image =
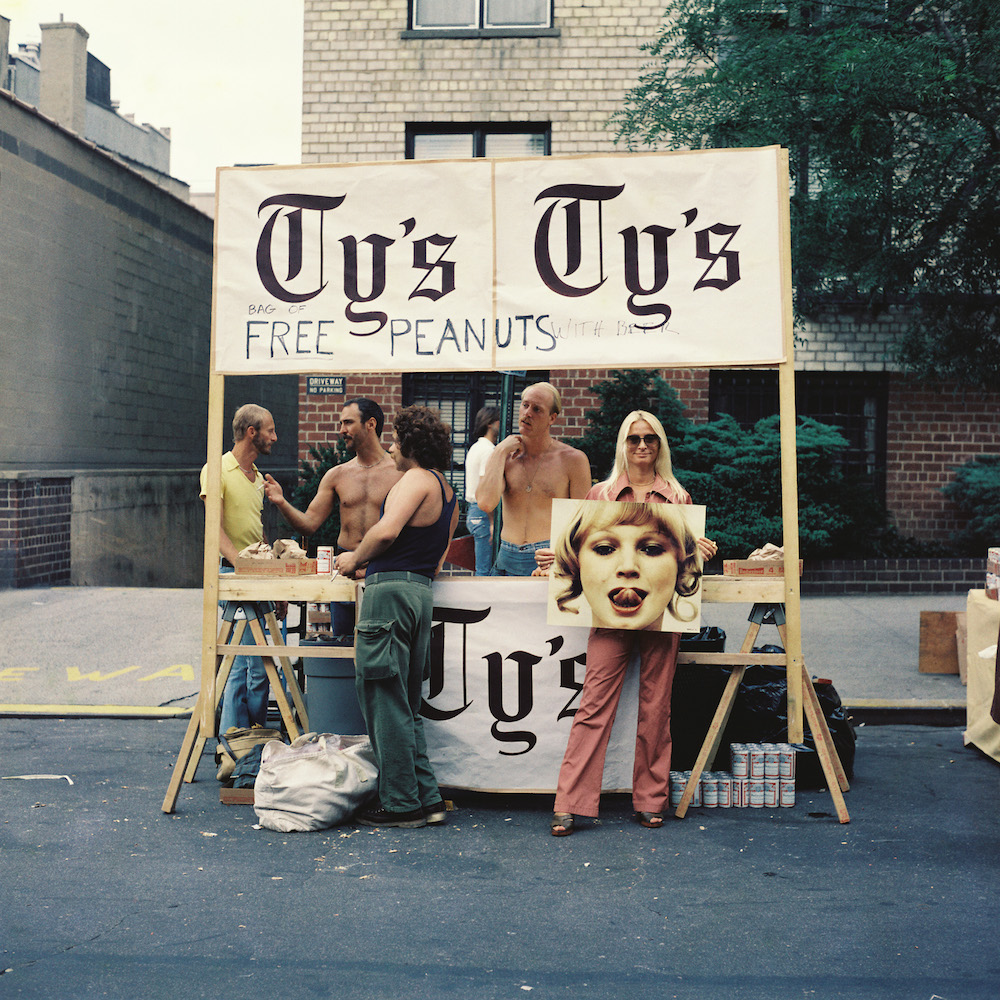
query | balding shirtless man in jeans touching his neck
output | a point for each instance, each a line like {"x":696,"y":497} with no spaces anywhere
{"x":528,"y":470}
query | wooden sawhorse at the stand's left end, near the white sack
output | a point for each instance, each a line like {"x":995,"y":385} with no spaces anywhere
{"x":229,"y":646}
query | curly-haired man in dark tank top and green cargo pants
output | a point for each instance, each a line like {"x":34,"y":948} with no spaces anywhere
{"x":404,"y":551}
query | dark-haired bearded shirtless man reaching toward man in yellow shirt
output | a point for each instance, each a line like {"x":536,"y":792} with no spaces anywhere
{"x":360,"y":485}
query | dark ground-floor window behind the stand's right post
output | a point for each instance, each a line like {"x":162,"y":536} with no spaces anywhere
{"x":855,"y":403}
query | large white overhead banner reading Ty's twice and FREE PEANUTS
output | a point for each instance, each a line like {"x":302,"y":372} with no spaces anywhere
{"x":645,"y":260}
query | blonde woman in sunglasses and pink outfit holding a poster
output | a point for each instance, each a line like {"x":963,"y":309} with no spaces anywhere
{"x":642,"y":474}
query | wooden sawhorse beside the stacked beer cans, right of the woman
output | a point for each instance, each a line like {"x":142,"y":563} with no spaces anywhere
{"x":833,"y":769}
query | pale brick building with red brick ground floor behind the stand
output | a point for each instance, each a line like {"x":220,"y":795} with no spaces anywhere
{"x":388,"y":79}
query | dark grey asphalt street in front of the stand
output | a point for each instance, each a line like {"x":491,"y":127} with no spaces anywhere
{"x":104,"y":895}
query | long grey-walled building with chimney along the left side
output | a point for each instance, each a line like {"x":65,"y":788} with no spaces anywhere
{"x":105,"y":317}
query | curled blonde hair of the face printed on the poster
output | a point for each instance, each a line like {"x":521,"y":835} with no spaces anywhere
{"x":594,"y":515}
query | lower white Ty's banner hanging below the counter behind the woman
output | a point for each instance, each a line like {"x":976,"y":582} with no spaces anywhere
{"x":503,"y":687}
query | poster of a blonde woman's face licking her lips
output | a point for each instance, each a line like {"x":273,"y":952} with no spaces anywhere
{"x":626,"y":565}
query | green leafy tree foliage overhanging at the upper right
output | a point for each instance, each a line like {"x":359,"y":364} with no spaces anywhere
{"x":890,"y":111}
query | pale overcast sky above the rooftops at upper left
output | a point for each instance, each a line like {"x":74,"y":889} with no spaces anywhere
{"x":224,"y":75}
